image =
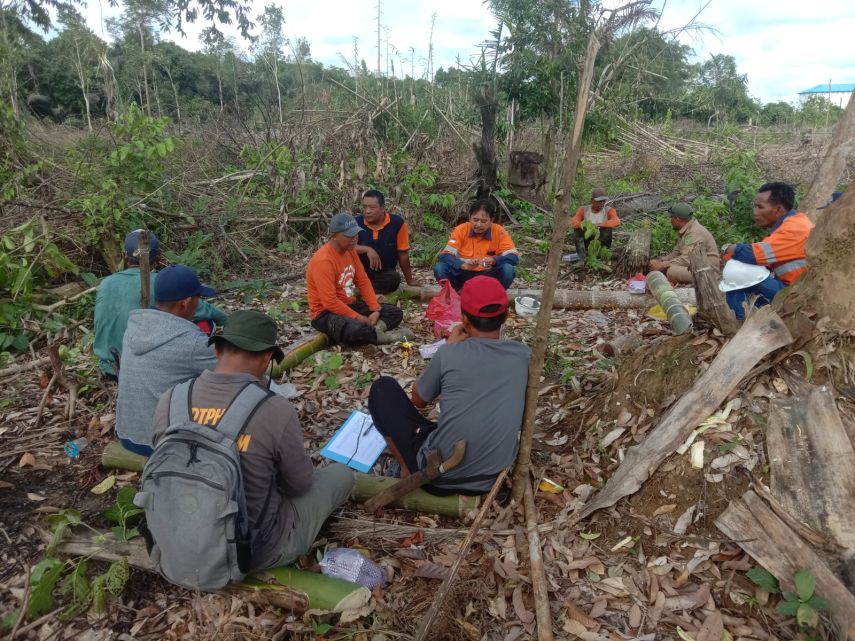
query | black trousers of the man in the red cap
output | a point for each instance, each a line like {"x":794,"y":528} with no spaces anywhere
{"x":396,"y":418}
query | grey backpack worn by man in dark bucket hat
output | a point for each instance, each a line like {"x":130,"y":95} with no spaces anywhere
{"x":197,"y":526}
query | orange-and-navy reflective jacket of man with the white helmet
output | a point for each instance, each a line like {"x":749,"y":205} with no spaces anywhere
{"x":783,"y":250}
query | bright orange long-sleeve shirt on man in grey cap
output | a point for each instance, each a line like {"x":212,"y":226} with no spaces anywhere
{"x":332,"y":278}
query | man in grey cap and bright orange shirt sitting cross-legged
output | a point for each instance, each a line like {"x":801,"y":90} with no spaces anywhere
{"x":333,"y":276}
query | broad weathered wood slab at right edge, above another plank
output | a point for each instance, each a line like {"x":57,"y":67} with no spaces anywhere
{"x":812,"y":465}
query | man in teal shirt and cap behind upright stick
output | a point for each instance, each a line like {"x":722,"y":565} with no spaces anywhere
{"x":119,"y":293}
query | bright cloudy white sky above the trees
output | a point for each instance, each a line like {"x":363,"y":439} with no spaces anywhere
{"x":785,"y":46}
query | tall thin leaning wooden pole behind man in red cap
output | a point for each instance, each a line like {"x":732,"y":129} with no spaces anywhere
{"x":560,"y":226}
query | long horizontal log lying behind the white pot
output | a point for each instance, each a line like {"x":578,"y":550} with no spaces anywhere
{"x":574,"y":298}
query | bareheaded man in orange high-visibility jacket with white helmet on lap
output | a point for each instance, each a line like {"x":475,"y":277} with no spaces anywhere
{"x":782,"y":251}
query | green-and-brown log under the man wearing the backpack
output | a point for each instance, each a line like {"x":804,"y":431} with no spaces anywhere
{"x":283,"y":587}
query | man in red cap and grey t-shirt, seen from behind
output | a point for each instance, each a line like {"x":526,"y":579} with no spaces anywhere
{"x":481,"y":381}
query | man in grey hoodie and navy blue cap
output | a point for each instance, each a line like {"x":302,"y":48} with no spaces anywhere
{"x":161,"y":348}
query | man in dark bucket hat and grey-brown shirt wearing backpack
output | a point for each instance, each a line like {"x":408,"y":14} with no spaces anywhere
{"x":287,"y":500}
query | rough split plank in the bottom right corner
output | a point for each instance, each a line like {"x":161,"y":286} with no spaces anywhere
{"x":758,"y":531}
